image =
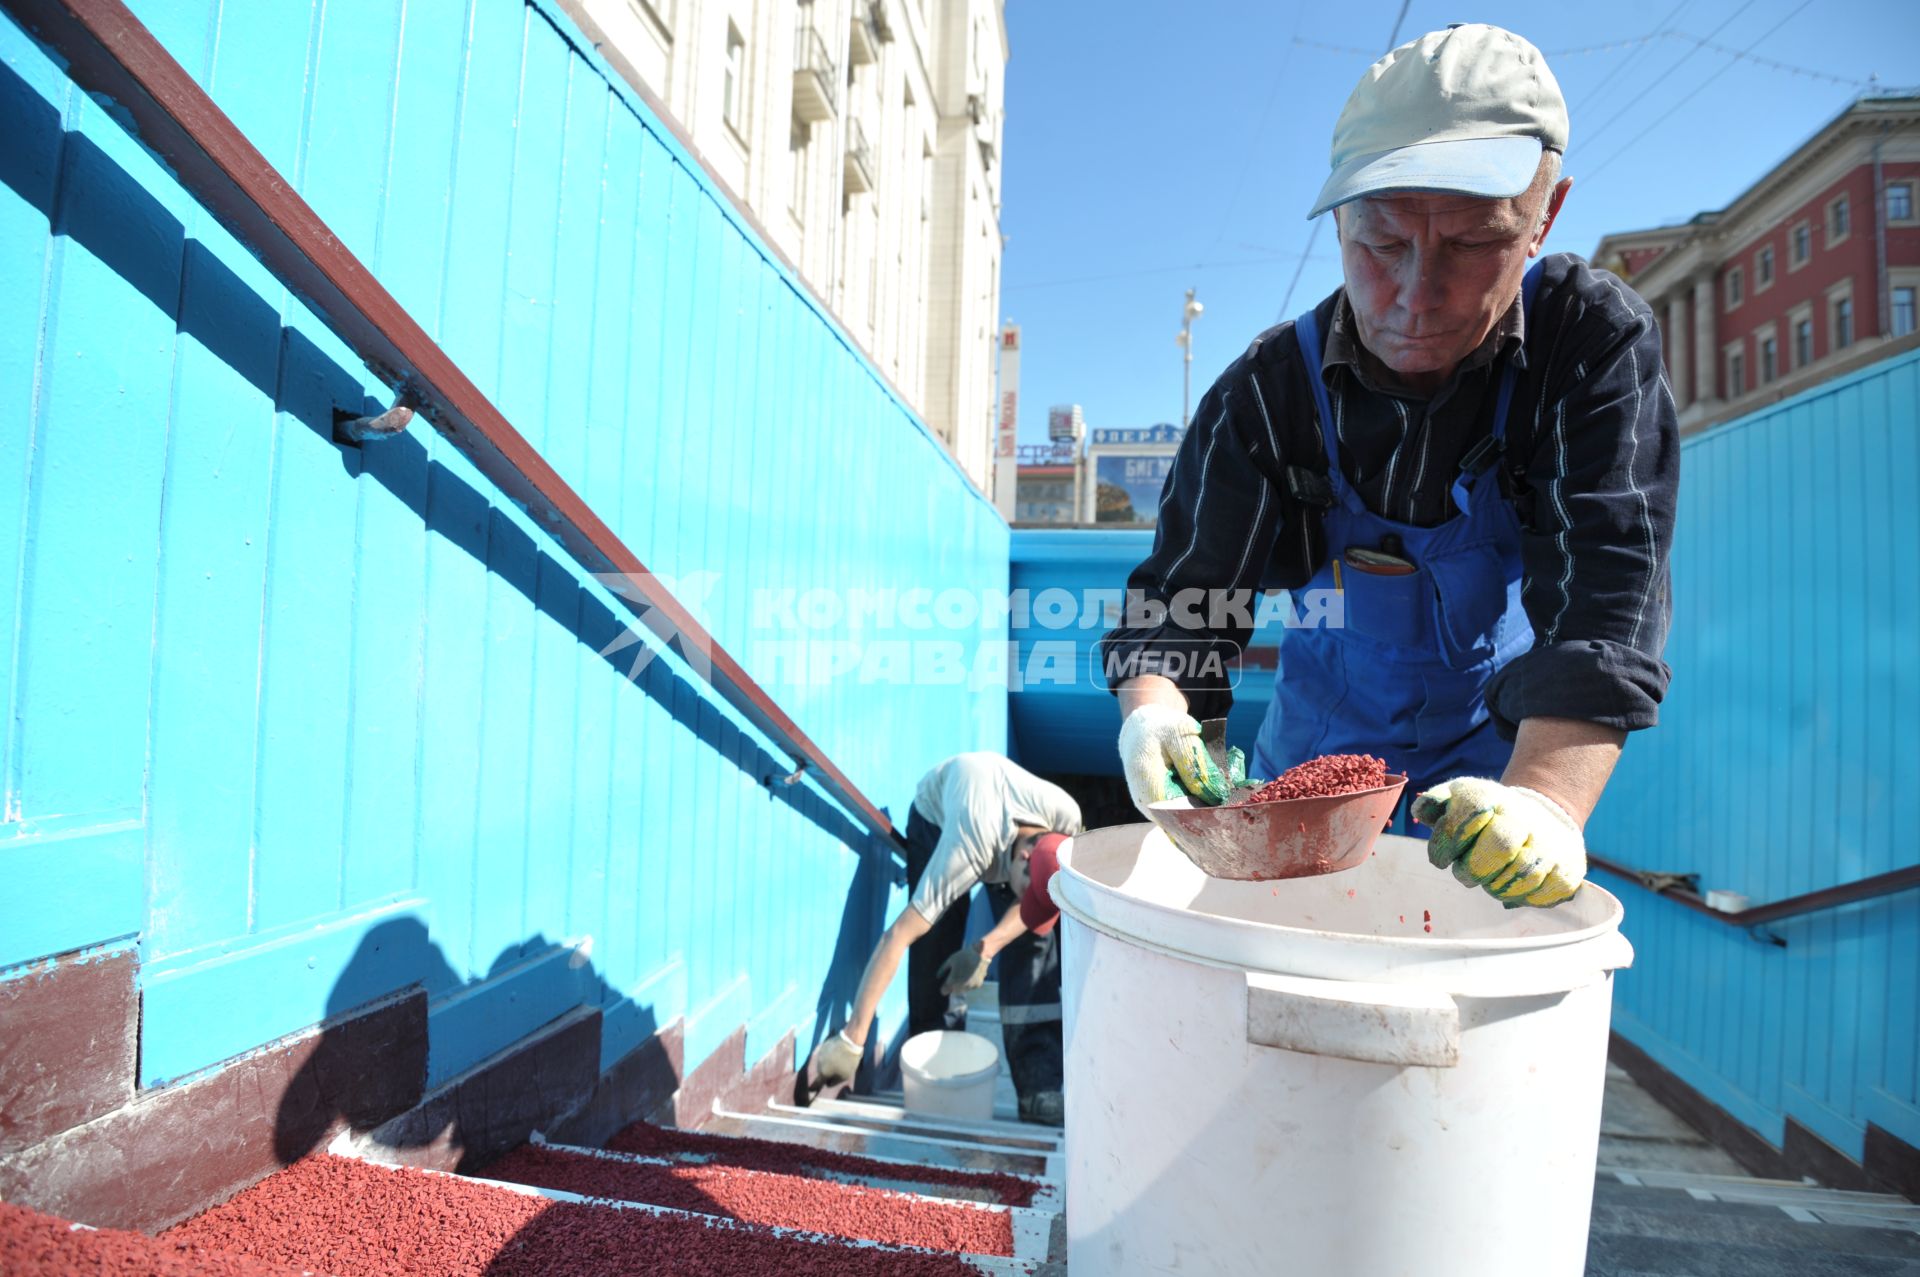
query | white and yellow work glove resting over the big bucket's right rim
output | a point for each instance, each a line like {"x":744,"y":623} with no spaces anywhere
{"x":1518,"y":844}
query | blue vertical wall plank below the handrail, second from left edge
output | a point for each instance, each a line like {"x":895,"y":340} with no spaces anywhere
{"x":89,"y":573}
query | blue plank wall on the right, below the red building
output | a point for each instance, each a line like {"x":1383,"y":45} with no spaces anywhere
{"x":1788,"y":759}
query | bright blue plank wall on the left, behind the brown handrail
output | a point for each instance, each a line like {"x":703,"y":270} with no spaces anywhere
{"x":312,"y":723}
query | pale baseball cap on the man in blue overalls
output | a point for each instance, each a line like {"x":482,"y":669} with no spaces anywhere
{"x":1466,"y":110}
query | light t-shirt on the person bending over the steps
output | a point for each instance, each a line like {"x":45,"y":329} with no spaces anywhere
{"x":976,"y":802}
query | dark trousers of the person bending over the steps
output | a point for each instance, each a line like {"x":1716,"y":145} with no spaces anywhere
{"x":1030,"y":978}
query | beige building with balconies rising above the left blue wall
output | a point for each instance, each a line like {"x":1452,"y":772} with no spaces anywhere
{"x":863,"y":137}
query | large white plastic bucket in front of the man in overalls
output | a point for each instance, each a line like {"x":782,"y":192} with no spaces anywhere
{"x":1299,"y":1076}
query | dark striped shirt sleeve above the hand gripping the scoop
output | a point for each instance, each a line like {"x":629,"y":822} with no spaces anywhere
{"x":1191,"y":604}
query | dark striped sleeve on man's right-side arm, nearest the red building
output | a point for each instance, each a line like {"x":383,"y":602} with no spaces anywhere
{"x":1602,"y":487}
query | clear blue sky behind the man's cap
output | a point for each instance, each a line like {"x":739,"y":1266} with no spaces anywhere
{"x":1159,"y":147}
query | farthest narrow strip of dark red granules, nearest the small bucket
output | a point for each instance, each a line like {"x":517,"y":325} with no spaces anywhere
{"x":878,"y":1172}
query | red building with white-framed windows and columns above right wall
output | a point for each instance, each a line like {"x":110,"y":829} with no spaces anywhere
{"x":1810,"y":274}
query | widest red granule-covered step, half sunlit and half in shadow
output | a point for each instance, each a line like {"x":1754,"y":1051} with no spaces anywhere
{"x":350,"y":1218}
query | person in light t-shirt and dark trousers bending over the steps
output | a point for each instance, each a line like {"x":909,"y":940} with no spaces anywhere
{"x":976,"y":819}
